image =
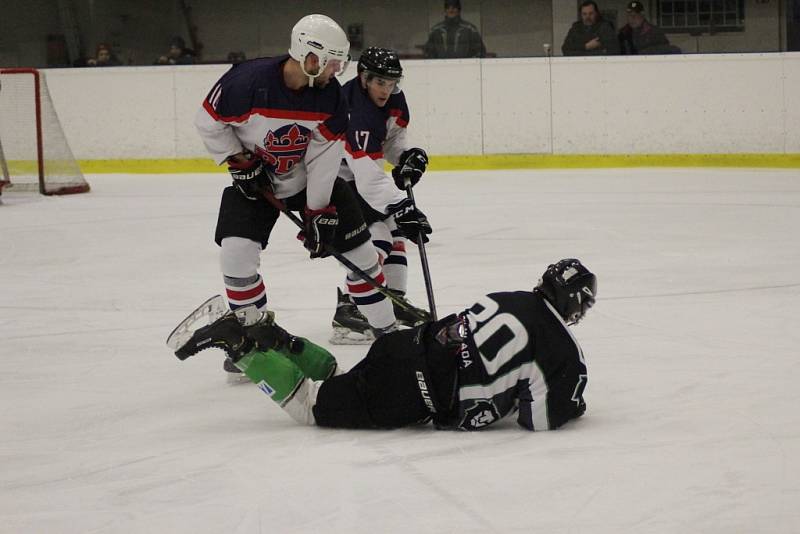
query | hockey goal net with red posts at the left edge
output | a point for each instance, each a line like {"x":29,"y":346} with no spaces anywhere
{"x":34,"y":154}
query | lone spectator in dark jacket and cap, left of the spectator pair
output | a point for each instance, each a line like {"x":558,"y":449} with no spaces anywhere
{"x":454,"y":37}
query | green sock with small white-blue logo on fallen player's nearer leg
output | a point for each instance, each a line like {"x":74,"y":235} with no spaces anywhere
{"x":273,"y":373}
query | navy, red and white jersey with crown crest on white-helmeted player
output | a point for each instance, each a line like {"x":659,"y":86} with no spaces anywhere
{"x":299,"y":135}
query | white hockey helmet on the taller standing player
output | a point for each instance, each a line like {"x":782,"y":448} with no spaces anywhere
{"x":324,"y":38}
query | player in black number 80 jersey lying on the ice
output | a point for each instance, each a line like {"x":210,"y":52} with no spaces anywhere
{"x":510,"y":352}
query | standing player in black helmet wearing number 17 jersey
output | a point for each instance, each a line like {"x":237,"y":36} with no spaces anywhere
{"x":379,"y":117}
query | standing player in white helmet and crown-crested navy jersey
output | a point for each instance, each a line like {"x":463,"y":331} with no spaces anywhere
{"x":279,"y":124}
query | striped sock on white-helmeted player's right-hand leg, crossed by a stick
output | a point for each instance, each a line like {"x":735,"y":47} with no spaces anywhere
{"x":370,"y":302}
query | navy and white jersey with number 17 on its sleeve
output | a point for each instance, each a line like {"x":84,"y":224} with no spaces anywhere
{"x":374,"y":135}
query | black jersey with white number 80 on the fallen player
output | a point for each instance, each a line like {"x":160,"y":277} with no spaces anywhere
{"x":519,"y":355}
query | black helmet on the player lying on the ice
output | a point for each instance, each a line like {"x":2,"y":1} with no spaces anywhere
{"x":569,"y":287}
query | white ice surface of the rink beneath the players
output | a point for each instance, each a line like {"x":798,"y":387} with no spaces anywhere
{"x":693,"y":419}
